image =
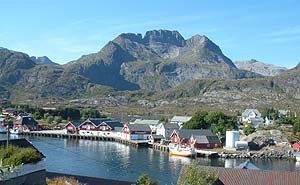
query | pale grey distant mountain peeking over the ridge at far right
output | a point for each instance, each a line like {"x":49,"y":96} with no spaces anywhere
{"x":260,"y":67}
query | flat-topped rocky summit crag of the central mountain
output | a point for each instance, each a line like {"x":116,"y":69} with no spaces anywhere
{"x":164,"y":36}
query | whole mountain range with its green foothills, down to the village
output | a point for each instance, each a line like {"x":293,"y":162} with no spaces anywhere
{"x":161,"y":70}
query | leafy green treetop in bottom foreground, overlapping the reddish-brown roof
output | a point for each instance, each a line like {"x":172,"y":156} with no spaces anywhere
{"x":193,"y":175}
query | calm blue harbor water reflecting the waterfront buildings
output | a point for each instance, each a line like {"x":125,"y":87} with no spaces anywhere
{"x":112,"y":160}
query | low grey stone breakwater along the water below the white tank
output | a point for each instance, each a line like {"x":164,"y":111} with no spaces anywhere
{"x":259,"y":155}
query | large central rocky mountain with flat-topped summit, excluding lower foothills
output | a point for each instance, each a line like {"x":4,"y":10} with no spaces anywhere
{"x":160,"y":60}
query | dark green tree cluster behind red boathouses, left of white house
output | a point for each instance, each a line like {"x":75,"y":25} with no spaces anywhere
{"x":217,"y":121}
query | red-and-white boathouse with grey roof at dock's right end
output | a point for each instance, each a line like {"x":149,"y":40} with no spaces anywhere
{"x":136,"y":132}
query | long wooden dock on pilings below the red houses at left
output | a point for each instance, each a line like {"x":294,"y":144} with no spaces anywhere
{"x":59,"y":134}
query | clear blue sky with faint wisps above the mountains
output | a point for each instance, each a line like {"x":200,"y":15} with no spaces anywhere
{"x":64,"y":30}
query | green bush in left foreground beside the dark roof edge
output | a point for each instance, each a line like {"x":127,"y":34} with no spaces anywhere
{"x":15,"y":156}
